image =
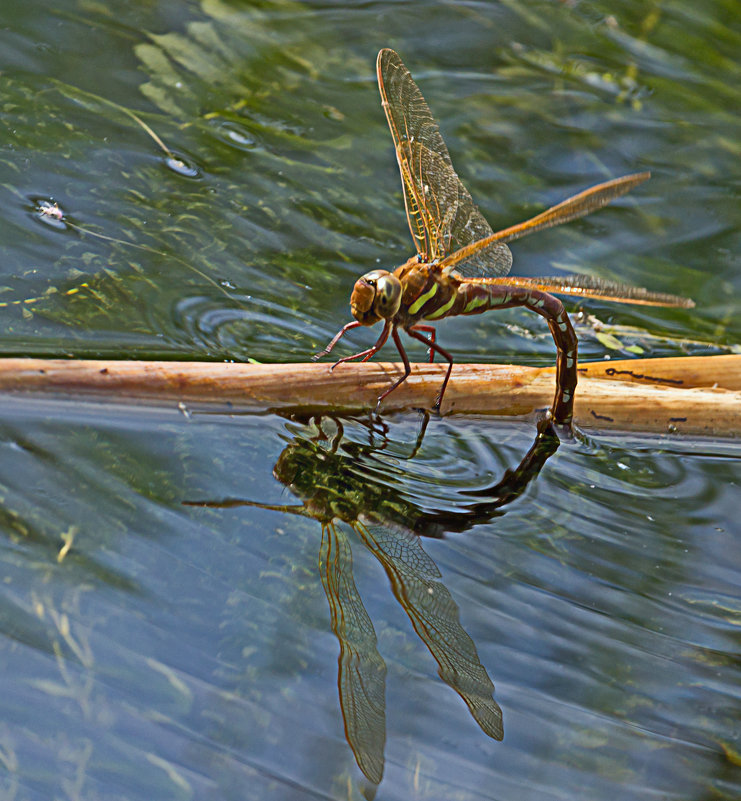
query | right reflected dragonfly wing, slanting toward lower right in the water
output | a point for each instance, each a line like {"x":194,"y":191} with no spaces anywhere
{"x":435,"y":617}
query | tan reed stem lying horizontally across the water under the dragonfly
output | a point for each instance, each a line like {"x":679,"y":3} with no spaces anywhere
{"x":689,"y":395}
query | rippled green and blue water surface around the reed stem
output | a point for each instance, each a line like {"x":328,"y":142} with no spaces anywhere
{"x":154,"y":649}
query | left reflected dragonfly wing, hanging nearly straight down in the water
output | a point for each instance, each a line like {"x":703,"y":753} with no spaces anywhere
{"x":362,"y":672}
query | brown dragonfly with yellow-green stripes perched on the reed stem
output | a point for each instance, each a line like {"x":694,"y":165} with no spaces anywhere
{"x":461,"y":265}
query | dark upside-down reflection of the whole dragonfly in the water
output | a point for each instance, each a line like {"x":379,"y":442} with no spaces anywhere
{"x":339,"y":482}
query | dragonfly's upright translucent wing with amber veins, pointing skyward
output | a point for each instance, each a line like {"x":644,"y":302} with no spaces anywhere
{"x":441,"y":213}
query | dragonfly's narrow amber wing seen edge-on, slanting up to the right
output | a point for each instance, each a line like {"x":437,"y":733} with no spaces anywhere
{"x":570,"y":209}
